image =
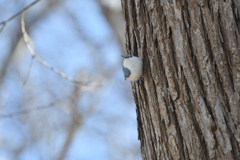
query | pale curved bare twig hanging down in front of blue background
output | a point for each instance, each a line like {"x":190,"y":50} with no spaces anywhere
{"x":29,"y":44}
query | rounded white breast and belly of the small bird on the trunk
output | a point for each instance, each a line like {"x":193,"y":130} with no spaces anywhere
{"x":134,"y":64}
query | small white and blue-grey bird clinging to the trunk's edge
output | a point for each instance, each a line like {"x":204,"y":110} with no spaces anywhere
{"x":132,"y":67}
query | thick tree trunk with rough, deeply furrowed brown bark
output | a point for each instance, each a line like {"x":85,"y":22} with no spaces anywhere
{"x":188,"y":102}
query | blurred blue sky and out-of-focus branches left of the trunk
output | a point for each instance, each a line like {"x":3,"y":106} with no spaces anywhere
{"x":44,"y":116}
